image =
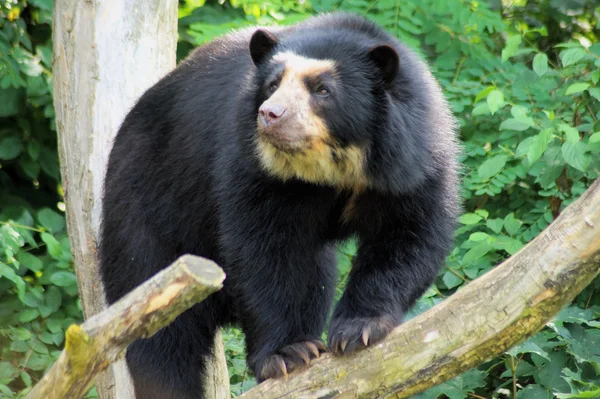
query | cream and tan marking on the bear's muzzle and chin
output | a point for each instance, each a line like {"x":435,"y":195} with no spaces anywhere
{"x":293,"y":141}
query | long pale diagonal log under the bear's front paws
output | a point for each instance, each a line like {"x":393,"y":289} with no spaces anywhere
{"x":482,"y":320}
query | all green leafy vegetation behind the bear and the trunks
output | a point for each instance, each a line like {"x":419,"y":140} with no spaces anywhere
{"x":522,"y":77}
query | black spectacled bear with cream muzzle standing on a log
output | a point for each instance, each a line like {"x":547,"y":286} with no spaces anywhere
{"x":261,"y":151}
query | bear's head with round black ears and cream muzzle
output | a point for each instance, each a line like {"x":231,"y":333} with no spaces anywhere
{"x":320,"y":98}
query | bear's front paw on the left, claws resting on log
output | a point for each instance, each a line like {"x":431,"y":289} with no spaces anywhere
{"x":289,"y":358}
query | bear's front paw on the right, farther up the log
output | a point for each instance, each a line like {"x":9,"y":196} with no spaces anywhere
{"x":349,"y":334}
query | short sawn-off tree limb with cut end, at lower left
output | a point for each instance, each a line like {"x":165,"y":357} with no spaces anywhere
{"x":102,"y":339}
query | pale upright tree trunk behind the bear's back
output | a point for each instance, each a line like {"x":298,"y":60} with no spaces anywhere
{"x":106,"y":54}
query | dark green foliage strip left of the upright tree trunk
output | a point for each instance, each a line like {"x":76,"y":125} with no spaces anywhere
{"x":38,"y":291}
